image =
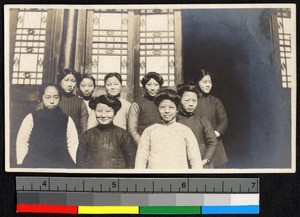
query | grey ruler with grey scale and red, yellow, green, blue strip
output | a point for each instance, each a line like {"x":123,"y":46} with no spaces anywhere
{"x":75,"y":195}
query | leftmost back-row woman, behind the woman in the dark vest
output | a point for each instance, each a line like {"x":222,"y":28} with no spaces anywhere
{"x":71,"y":104}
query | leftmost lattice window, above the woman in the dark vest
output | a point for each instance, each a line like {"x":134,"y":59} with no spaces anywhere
{"x":29,"y":47}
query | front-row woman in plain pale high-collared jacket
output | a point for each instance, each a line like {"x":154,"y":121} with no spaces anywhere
{"x":168,"y":144}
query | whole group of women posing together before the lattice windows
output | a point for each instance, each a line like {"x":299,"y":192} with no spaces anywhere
{"x":163,"y":129}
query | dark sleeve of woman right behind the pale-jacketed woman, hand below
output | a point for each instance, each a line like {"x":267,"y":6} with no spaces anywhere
{"x":210,"y":139}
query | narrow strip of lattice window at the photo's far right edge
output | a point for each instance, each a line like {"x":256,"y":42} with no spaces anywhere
{"x":284,"y":30}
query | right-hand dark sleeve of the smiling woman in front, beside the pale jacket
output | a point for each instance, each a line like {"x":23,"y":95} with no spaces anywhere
{"x":129,"y":149}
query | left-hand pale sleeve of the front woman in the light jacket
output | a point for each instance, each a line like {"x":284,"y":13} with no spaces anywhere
{"x":143,"y":150}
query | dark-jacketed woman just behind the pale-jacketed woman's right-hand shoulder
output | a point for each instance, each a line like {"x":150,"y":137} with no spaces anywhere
{"x":201,"y":127}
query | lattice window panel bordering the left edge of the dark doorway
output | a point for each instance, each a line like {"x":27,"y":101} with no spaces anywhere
{"x":157,"y":44}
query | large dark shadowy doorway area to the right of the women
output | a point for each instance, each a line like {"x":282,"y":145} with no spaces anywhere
{"x":236,"y":47}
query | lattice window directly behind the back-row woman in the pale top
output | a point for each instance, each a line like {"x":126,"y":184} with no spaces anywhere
{"x":109,"y":51}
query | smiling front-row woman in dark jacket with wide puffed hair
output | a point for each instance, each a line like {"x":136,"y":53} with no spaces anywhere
{"x":106,"y":146}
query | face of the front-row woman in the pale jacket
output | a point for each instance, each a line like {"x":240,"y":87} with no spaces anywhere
{"x":167,"y":110}
